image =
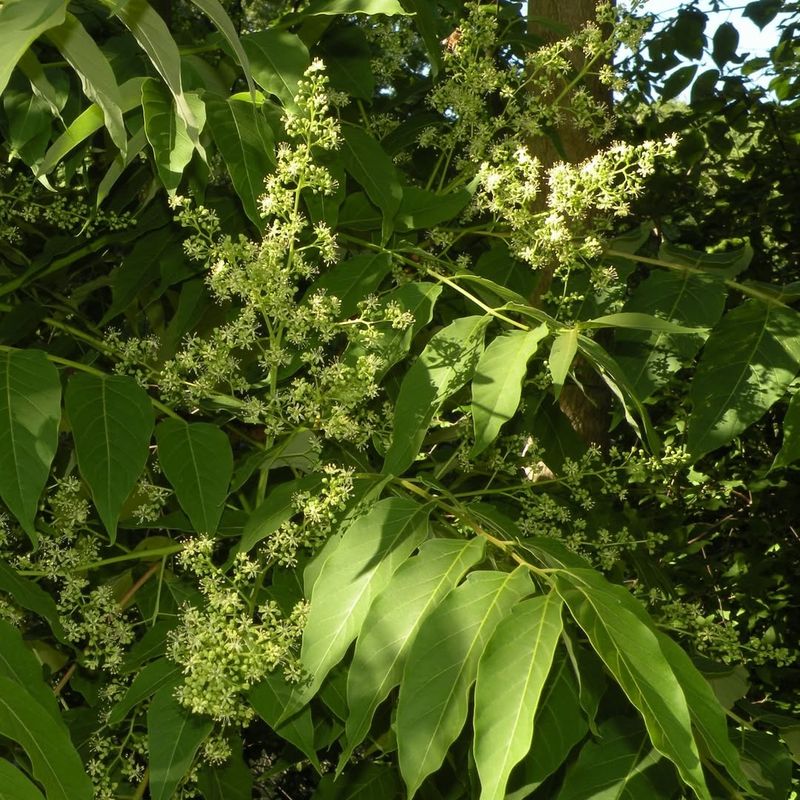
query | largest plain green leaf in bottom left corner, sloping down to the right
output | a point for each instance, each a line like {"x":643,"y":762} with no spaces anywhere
{"x":54,"y":761}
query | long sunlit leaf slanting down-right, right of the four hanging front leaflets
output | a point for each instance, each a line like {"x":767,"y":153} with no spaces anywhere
{"x":631,"y":651}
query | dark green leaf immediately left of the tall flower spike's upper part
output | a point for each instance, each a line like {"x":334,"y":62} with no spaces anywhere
{"x":247,"y":145}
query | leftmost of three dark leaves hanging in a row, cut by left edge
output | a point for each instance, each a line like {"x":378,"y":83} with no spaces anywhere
{"x":30,"y":412}
